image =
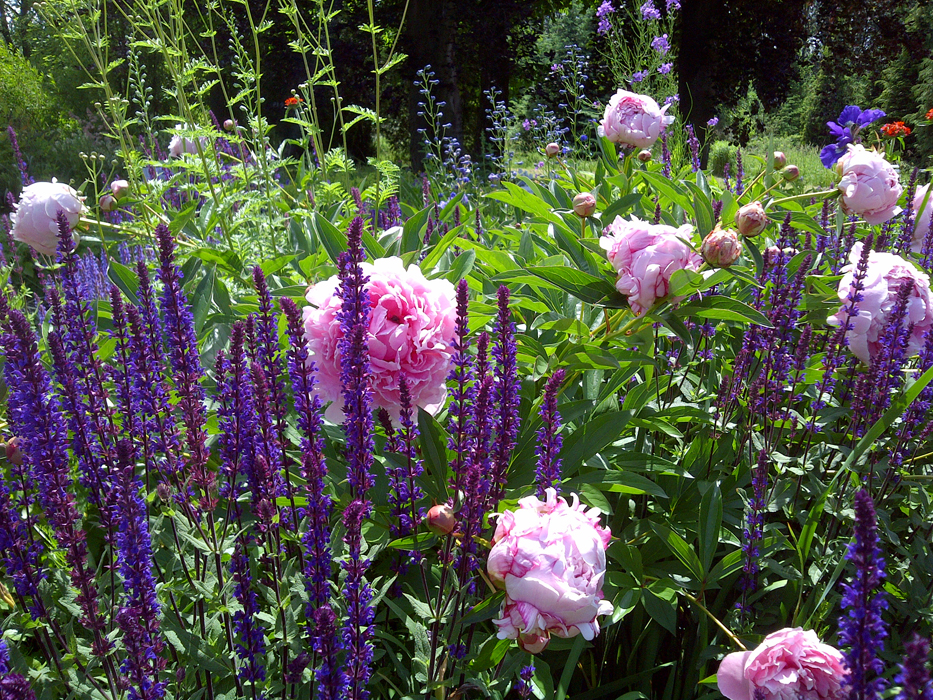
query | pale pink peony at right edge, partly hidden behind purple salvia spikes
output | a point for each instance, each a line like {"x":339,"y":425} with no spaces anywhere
{"x":886,"y":273}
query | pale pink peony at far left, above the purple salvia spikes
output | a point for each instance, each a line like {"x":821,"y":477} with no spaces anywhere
{"x":35,"y":218}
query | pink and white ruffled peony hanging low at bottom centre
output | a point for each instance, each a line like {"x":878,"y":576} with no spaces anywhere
{"x":550,"y":558}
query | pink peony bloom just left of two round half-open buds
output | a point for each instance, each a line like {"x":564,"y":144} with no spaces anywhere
{"x":645,"y":256}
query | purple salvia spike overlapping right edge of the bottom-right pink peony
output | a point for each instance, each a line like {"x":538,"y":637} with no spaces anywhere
{"x":861,"y":630}
